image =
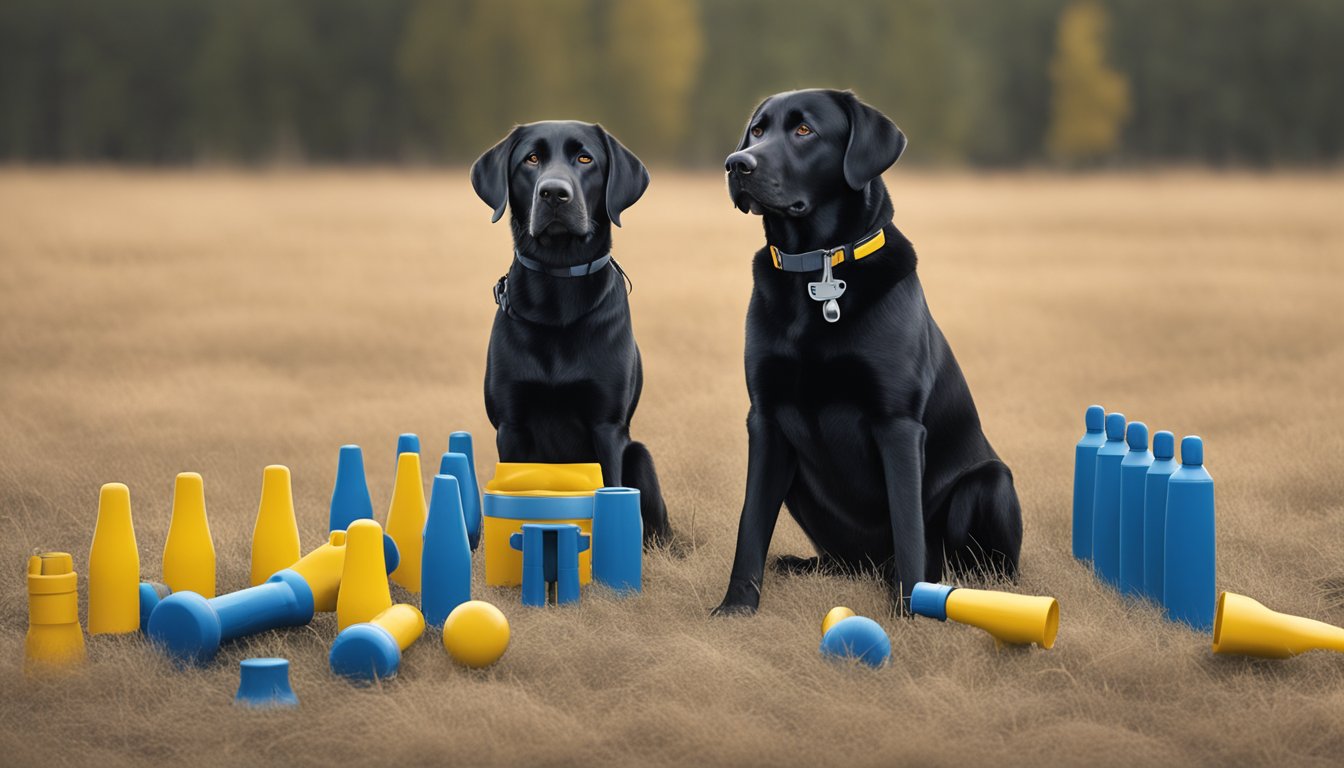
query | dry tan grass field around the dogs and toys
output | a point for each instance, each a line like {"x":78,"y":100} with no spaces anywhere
{"x":218,"y":322}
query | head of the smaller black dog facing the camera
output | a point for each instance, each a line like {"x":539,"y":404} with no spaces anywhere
{"x":560,"y":178}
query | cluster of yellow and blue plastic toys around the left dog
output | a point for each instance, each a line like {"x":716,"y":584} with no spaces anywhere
{"x":548,"y":529}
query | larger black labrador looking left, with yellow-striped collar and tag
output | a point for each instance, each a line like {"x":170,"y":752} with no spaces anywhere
{"x":861,"y":419}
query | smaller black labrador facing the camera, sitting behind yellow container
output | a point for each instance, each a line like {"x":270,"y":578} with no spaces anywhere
{"x":564,"y":375}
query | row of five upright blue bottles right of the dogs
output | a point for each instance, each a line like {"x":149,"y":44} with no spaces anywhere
{"x":1144,"y":520}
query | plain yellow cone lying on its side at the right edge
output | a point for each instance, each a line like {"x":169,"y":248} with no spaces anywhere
{"x":1243,"y":626}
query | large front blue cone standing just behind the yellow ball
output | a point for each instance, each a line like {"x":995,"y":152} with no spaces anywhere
{"x":447,"y":571}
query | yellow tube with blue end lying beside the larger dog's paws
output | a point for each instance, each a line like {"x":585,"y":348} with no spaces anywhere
{"x":1013,"y":619}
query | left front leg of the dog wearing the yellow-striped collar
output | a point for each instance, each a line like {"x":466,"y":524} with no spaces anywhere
{"x":771,"y":469}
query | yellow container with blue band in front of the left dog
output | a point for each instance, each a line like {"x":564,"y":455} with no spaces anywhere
{"x":534,"y":494}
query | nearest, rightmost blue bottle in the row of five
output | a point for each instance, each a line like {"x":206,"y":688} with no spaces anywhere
{"x":1190,"y":562}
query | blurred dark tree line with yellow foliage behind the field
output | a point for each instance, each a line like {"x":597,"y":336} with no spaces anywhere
{"x":971,"y":81}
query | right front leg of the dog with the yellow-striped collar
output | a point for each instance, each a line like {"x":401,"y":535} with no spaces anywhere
{"x":901,"y":445}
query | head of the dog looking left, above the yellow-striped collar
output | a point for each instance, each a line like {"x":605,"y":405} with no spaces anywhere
{"x":806,"y":147}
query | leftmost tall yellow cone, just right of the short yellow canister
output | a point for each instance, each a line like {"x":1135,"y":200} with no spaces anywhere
{"x":114,"y":567}
